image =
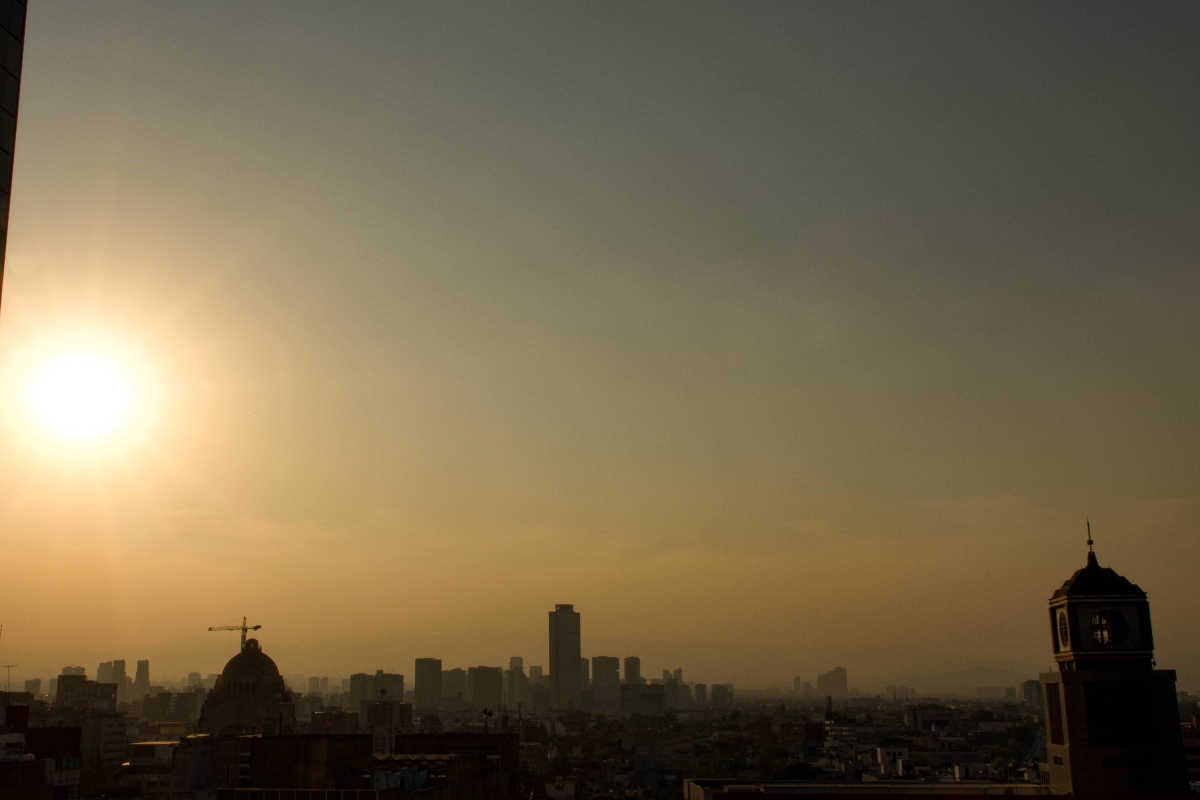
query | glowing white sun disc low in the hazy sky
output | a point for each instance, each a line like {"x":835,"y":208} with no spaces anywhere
{"x":80,"y":396}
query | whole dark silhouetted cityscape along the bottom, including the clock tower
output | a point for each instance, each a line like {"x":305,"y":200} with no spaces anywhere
{"x":1107,"y":721}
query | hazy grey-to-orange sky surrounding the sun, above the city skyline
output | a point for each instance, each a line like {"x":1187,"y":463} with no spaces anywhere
{"x":773,"y":336}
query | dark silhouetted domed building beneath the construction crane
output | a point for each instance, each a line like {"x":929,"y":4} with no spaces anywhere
{"x":250,"y":697}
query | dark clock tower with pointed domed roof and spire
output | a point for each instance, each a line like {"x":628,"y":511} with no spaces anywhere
{"x":1113,"y":725}
